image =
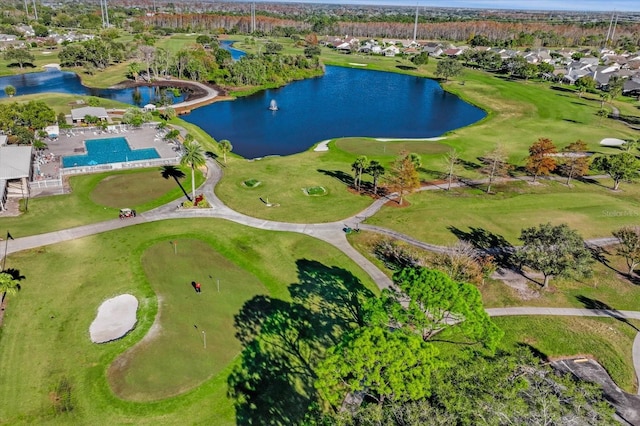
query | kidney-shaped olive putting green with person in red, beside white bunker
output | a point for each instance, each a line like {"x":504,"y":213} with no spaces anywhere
{"x":194,"y":335}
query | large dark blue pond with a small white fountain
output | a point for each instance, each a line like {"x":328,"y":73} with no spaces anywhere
{"x":343,"y":102}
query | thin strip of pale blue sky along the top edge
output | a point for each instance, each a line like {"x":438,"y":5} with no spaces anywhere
{"x":592,"y":5}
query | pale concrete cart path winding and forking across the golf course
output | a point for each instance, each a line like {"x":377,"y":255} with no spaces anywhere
{"x":331,"y":233}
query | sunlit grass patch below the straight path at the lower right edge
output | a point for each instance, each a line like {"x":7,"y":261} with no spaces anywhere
{"x":606,"y":340}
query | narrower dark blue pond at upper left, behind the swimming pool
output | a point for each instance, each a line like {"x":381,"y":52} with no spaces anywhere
{"x":68,"y":82}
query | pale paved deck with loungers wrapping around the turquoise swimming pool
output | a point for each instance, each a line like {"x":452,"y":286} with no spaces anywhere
{"x":71,"y":142}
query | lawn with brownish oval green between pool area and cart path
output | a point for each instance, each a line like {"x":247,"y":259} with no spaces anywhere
{"x":95,"y":198}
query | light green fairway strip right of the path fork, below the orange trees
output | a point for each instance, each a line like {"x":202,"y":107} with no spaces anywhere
{"x":591,"y":209}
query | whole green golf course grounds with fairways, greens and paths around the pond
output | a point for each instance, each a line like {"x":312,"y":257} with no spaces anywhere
{"x":278,"y":270}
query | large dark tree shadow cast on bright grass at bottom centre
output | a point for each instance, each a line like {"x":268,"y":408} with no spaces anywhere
{"x":283,"y":341}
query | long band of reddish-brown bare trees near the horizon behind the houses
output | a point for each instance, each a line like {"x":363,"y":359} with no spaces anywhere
{"x":519,"y":33}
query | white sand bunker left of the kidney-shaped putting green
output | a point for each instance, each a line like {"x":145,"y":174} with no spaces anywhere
{"x":116,"y":317}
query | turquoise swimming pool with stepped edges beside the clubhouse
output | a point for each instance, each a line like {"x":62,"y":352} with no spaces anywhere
{"x":109,"y":150}
